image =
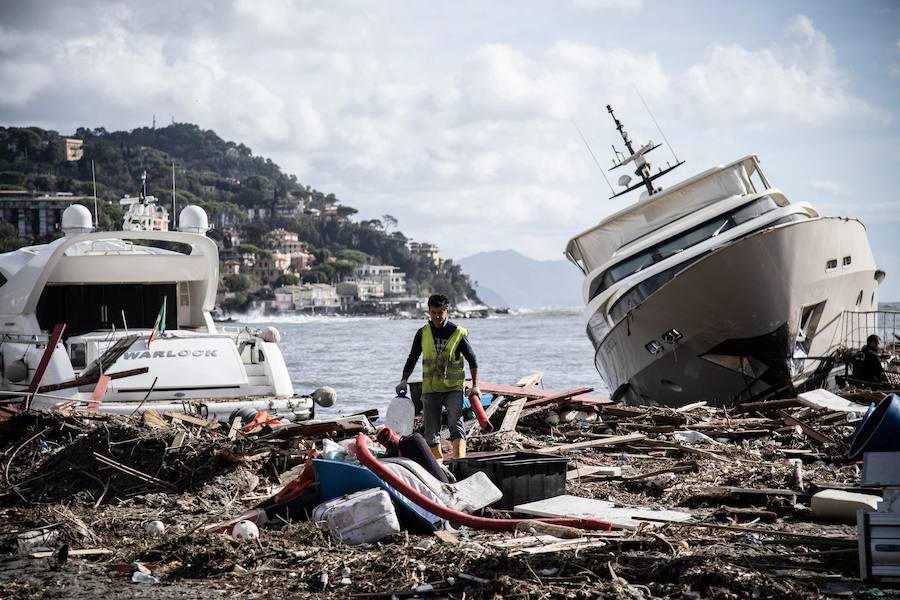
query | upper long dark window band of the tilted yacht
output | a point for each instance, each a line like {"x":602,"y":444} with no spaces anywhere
{"x":686,"y":239}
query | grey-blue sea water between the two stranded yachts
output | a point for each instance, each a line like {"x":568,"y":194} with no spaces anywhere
{"x":362,"y":358}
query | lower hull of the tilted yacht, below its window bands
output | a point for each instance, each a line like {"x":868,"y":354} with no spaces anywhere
{"x":738,"y":312}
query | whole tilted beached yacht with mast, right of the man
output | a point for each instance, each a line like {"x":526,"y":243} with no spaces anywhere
{"x":718,"y":288}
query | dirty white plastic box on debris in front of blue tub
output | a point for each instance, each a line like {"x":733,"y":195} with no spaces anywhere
{"x":359,"y":518}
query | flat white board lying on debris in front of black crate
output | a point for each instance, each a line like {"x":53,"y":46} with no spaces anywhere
{"x":574,"y":507}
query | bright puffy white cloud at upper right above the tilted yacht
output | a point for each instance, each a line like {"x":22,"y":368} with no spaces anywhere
{"x":799,"y":81}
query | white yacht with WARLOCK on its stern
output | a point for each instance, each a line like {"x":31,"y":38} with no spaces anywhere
{"x":134,"y":301}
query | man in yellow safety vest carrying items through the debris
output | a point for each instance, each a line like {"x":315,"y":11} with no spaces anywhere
{"x":443,"y":346}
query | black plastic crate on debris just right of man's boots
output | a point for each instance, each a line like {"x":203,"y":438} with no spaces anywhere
{"x":521,"y":476}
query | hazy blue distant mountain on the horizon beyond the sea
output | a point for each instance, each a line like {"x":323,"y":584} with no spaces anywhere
{"x":505,"y":278}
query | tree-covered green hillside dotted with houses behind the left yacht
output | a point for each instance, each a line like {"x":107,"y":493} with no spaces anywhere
{"x":226,"y":179}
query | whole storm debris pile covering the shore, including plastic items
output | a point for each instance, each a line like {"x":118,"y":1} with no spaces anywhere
{"x":754,"y":501}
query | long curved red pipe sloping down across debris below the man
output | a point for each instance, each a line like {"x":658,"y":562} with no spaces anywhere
{"x":454,"y":516}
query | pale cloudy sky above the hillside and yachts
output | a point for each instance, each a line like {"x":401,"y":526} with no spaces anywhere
{"x":457,"y":118}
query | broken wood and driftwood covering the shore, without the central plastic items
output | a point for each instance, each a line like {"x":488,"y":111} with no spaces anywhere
{"x":630,"y":467}
